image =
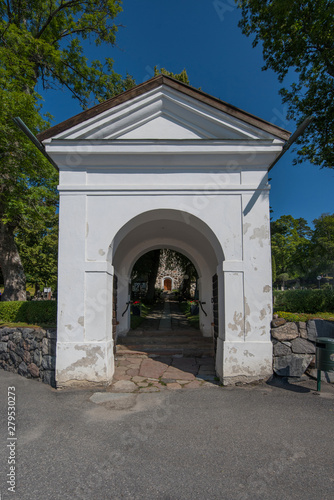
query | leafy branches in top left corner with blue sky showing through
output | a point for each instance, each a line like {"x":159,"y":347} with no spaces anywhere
{"x":42,"y":41}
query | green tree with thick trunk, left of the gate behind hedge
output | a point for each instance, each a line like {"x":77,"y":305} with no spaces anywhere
{"x":27,"y":183}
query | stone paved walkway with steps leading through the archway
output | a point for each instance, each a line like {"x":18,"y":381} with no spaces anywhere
{"x":164,"y":354}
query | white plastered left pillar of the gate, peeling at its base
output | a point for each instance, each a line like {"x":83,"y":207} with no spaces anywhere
{"x":84,"y":340}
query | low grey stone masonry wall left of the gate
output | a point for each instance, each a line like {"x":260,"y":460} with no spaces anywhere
{"x":29,"y":352}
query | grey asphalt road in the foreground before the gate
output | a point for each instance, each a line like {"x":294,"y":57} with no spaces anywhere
{"x":241,"y":443}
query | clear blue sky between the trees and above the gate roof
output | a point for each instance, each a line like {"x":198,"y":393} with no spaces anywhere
{"x":202,"y":36}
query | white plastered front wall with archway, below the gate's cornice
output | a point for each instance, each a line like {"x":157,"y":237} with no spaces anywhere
{"x":242,"y":264}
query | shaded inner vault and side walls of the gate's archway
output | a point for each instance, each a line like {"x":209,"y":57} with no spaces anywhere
{"x":175,"y":230}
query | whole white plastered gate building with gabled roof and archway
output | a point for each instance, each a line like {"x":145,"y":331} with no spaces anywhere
{"x":163,"y":166}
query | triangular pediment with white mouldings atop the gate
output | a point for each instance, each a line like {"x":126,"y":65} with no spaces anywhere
{"x":165,"y":111}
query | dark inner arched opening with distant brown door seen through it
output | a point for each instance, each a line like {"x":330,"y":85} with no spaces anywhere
{"x":164,"y":321}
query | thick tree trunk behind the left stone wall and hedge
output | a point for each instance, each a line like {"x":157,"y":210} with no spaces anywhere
{"x":11,"y":266}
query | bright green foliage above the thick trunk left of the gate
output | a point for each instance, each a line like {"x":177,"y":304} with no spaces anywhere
{"x":28,"y":182}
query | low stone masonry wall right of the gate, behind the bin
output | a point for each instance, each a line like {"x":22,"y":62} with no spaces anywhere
{"x":294,"y":346}
